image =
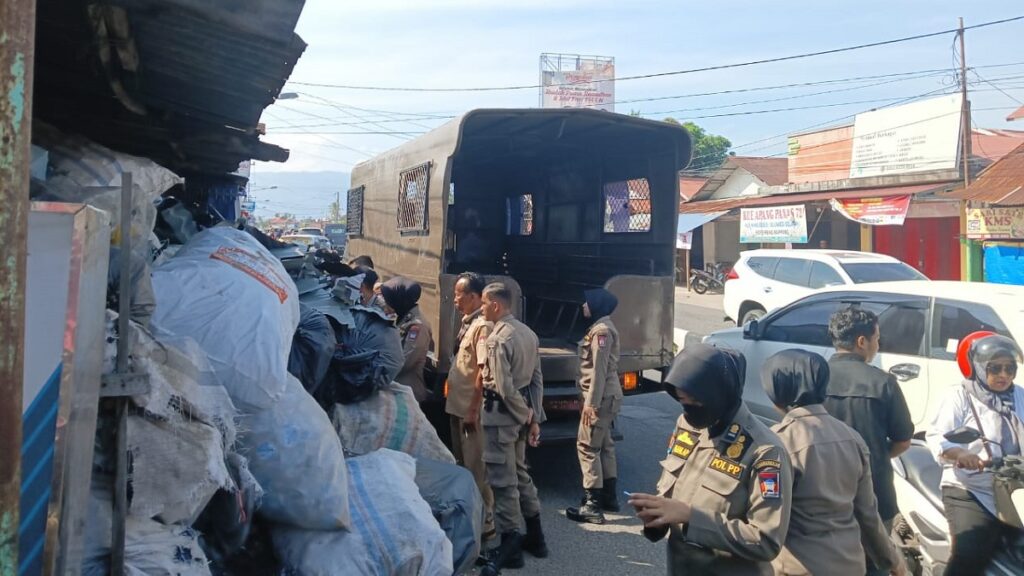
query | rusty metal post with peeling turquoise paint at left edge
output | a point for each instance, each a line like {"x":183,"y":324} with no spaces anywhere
{"x":18,"y":31}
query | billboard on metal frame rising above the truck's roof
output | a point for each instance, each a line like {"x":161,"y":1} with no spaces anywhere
{"x":574,"y":81}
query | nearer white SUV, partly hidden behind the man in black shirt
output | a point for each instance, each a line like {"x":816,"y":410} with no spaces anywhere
{"x":921,"y":323}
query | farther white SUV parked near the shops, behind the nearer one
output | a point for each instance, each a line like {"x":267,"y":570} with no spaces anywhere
{"x":765,"y":280}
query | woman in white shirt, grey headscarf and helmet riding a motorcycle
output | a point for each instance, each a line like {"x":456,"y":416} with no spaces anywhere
{"x":990,"y":402}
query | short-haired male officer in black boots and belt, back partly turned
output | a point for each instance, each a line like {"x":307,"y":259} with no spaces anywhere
{"x":514,"y":410}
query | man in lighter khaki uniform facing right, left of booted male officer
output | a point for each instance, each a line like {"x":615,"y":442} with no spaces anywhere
{"x":465,"y":390}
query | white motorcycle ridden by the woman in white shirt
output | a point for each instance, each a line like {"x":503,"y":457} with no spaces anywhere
{"x":922,"y":531}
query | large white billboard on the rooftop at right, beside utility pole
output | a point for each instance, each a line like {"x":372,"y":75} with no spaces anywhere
{"x":917,"y":138}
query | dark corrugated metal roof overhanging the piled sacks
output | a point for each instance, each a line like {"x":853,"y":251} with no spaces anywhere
{"x":183,"y":83}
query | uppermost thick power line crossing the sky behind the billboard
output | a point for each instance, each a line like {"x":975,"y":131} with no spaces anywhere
{"x":664,"y":74}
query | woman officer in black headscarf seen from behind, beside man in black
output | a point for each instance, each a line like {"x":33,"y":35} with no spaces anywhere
{"x":834,"y":506}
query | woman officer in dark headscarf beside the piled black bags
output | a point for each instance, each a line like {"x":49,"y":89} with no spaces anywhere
{"x":401,"y":298}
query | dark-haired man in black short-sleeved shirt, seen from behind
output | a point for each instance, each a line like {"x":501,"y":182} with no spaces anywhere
{"x":870,"y":401}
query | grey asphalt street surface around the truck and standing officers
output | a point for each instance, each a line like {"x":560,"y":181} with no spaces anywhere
{"x":646,"y":423}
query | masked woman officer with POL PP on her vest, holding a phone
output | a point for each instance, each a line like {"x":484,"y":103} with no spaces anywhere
{"x":727,"y":483}
